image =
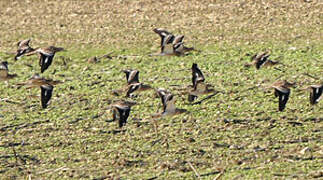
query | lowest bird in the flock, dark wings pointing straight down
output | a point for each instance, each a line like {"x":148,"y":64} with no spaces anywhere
{"x":121,"y":111}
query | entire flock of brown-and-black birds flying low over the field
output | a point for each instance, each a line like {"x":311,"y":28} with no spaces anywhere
{"x":170,"y":45}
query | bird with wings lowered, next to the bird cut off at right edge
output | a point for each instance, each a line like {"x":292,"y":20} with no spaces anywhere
{"x":282,"y":91}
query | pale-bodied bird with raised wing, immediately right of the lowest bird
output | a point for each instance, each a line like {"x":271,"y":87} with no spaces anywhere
{"x":168,"y":101}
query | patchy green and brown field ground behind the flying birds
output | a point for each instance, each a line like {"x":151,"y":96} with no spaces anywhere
{"x":237,"y":134}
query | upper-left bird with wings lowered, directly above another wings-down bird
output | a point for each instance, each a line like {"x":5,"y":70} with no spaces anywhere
{"x":46,"y":56}
